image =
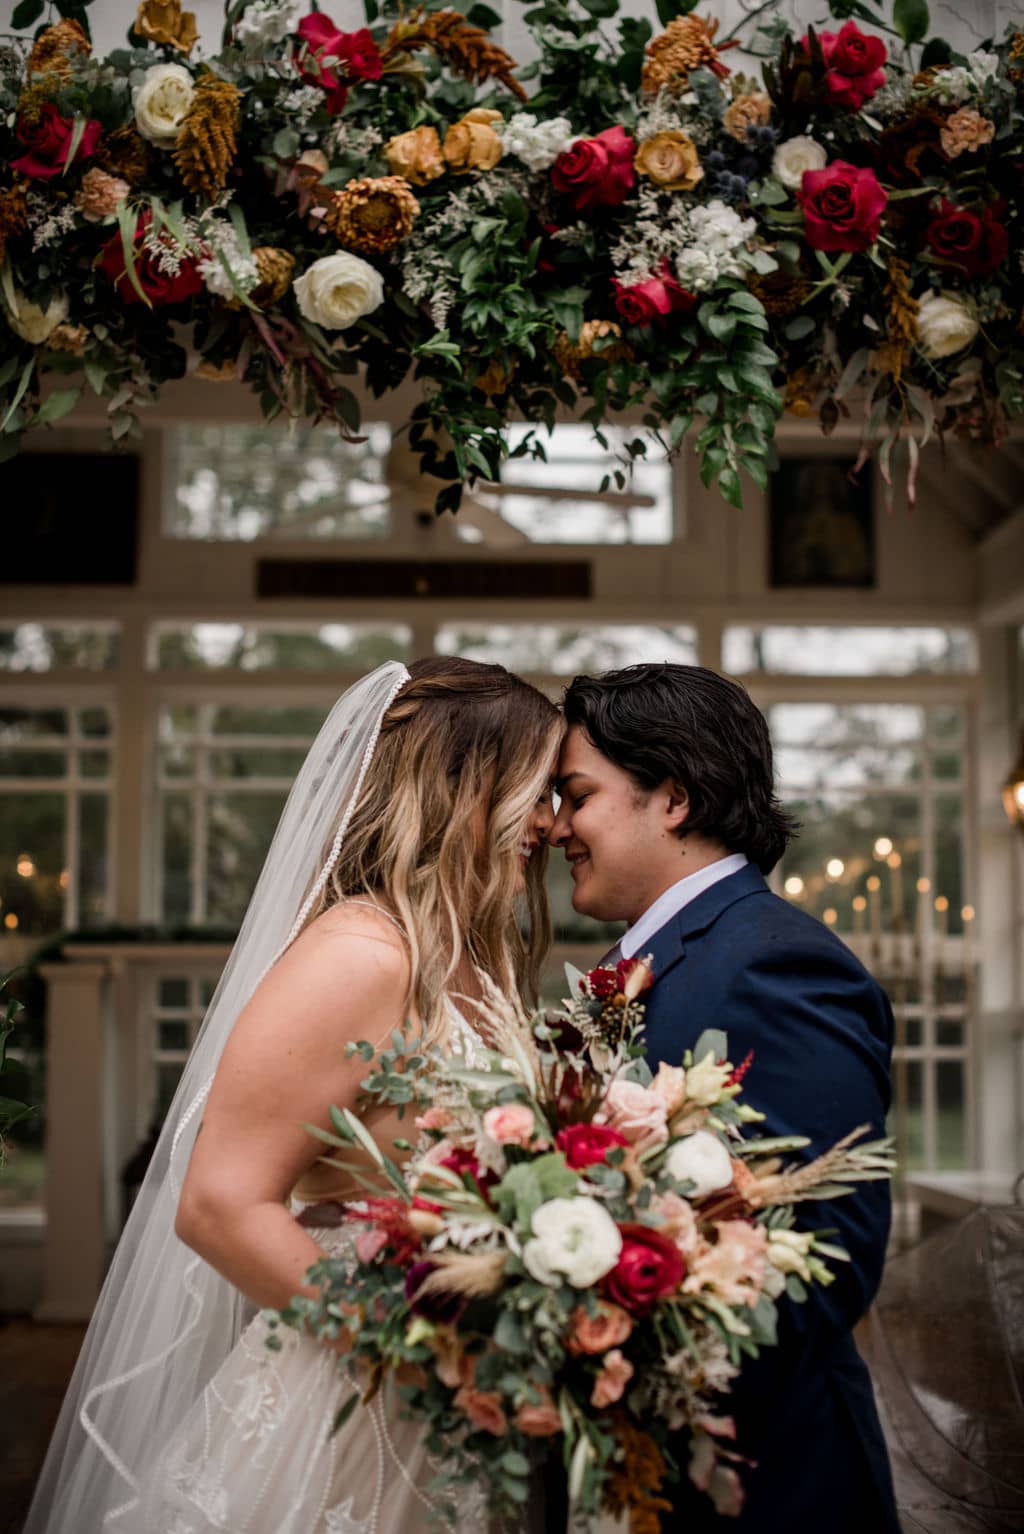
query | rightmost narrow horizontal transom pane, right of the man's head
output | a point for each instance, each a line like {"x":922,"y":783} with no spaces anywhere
{"x":836,"y":651}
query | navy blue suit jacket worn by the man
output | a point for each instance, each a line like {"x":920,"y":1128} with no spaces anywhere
{"x":778,"y":983}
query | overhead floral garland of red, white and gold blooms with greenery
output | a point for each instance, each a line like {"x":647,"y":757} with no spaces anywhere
{"x":629,"y":223}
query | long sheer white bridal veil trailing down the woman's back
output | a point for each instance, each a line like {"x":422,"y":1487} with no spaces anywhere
{"x":166,"y":1320}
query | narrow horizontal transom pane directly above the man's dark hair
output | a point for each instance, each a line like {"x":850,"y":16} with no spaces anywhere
{"x":565,"y":650}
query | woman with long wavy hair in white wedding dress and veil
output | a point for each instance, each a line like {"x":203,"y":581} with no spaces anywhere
{"x":416,"y":821}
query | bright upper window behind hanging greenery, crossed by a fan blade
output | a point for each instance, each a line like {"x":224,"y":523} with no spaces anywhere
{"x":560,"y":499}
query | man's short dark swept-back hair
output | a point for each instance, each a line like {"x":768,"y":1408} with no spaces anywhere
{"x":701,"y":731}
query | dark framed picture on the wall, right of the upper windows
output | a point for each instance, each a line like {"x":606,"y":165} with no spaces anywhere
{"x":821,"y":525}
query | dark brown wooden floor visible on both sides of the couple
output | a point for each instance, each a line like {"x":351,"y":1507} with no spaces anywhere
{"x":36,"y":1363}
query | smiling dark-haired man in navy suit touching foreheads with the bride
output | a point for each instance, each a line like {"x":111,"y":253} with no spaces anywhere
{"x":669,"y":821}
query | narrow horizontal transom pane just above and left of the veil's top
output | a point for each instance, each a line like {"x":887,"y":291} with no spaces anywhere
{"x":209,"y":647}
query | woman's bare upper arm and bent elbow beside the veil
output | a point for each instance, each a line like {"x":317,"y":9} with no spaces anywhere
{"x":283,"y":1067}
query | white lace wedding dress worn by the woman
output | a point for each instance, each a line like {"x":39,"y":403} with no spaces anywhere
{"x":257,"y":1457}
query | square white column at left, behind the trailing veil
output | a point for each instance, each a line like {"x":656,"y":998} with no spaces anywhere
{"x":76,"y":1248}
